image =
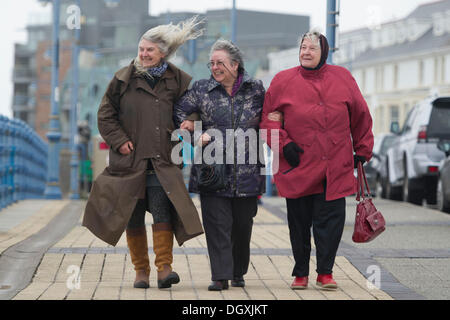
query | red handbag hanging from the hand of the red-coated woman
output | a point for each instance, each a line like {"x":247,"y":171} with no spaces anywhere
{"x":369,"y":222}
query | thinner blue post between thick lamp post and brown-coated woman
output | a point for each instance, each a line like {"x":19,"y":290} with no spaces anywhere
{"x":74,"y":162}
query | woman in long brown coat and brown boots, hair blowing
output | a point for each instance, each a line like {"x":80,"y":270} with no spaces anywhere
{"x":135,"y":119}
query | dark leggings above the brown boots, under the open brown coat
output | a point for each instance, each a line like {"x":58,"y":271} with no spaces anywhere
{"x":157,"y":203}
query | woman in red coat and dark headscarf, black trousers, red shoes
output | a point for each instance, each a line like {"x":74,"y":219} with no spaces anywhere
{"x":324,"y":128}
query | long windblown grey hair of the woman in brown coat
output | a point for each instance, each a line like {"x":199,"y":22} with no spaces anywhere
{"x":169,"y":37}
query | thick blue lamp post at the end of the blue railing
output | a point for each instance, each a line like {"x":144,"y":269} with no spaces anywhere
{"x":52,"y":189}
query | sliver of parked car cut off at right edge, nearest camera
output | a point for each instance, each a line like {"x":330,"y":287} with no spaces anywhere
{"x":443,"y":185}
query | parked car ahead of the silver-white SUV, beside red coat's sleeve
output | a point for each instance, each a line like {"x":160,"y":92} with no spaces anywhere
{"x":375,"y":171}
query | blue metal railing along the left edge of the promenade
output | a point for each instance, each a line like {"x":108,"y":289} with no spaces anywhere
{"x":23,"y":162}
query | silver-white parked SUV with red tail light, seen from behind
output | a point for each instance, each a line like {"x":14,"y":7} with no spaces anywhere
{"x":412,"y":162}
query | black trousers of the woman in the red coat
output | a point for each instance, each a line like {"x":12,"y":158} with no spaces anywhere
{"x":327,"y":219}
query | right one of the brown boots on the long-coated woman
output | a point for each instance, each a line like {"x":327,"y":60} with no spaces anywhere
{"x":163,"y":246}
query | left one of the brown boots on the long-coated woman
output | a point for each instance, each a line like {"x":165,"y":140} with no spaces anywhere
{"x":137,"y":243}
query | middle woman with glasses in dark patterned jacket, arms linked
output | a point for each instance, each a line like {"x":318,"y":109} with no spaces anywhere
{"x":229,"y":99}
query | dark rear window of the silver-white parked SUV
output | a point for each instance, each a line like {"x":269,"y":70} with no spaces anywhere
{"x":439,"y":125}
